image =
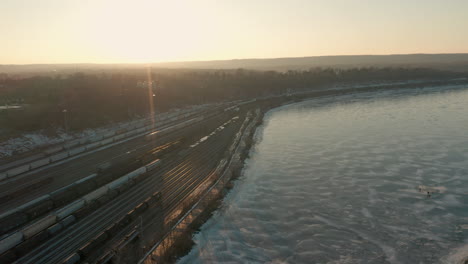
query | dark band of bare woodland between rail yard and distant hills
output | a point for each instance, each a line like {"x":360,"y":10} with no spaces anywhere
{"x":88,"y":100}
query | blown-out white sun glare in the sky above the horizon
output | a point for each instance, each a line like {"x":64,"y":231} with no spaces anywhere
{"x":151,"y":31}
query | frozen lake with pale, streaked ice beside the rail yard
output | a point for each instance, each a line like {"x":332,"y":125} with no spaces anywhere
{"x":335,"y":180}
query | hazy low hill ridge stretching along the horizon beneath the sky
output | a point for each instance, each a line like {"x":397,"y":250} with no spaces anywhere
{"x":453,"y":62}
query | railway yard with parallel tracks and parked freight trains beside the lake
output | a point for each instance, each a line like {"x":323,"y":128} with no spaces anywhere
{"x":90,"y":205}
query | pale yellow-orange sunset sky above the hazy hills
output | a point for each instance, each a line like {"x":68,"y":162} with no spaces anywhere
{"x":138,"y":31}
